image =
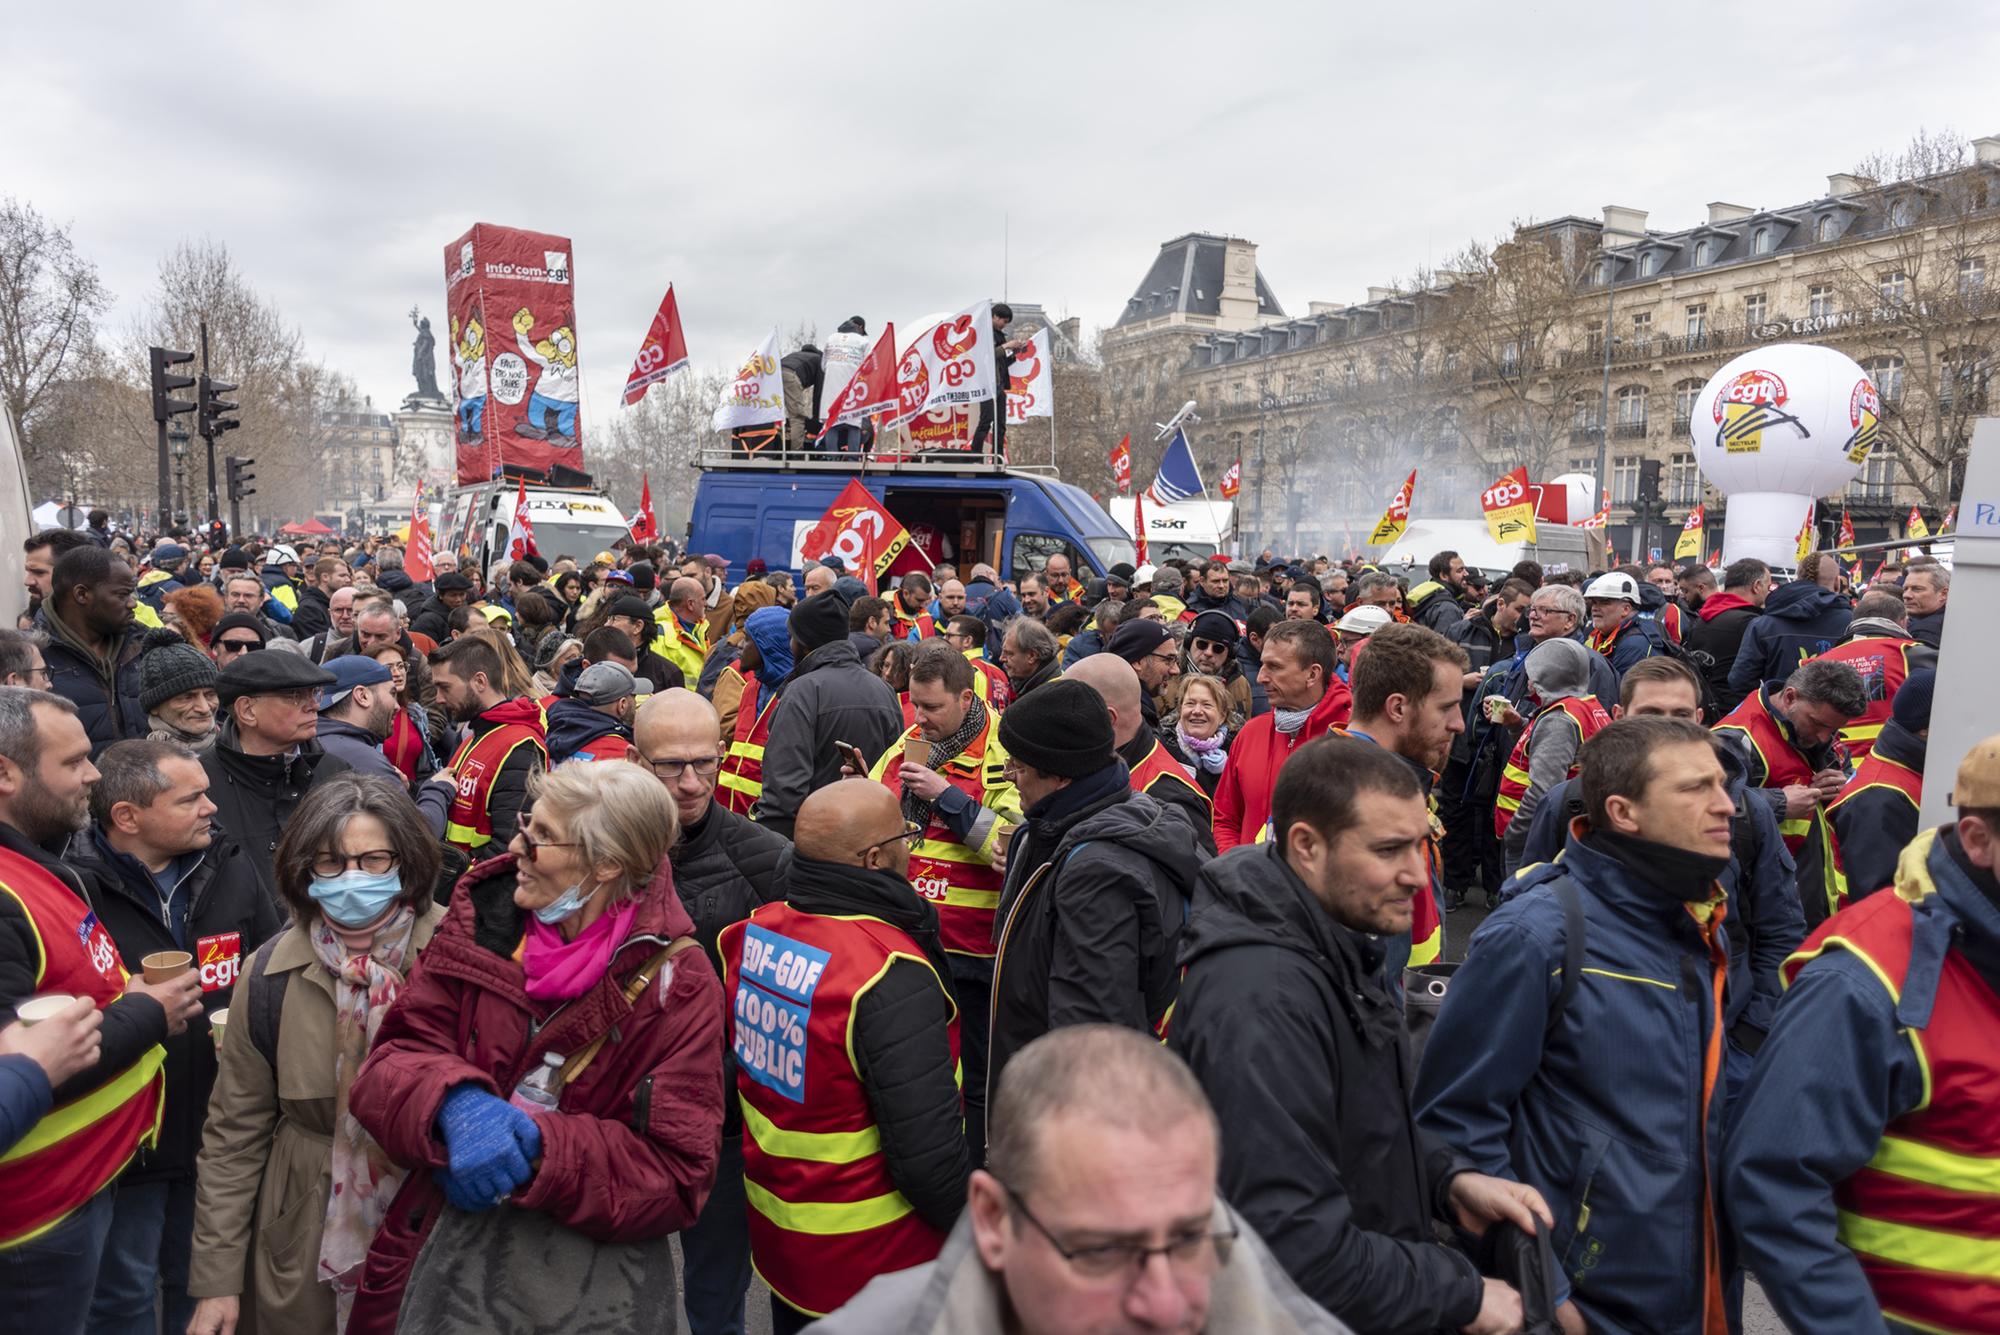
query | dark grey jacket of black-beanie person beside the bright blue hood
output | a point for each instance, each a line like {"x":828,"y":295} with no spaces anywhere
{"x":829,"y":698}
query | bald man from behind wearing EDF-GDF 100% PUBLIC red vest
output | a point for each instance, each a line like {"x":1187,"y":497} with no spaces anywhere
{"x":863,"y":1044}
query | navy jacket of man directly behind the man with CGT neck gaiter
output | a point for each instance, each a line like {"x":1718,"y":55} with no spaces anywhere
{"x":1765,"y":914}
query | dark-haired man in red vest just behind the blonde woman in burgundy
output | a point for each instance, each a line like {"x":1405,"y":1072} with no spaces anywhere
{"x":475,"y":802}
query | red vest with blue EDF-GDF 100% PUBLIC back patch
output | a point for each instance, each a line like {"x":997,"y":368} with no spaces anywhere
{"x":825,"y":1212}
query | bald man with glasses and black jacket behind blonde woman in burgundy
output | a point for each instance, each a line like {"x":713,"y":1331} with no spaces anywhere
{"x":723,"y":868}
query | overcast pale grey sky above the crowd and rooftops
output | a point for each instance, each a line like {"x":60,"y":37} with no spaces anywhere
{"x":787,"y":165}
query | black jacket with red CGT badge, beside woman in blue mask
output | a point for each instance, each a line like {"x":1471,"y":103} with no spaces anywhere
{"x":227,"y":918}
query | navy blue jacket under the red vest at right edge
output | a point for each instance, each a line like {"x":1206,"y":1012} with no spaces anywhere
{"x":1837,"y":1070}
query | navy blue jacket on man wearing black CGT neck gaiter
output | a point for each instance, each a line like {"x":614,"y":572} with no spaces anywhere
{"x":1605,"y":1114}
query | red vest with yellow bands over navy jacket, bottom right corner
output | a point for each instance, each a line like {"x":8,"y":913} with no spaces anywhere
{"x":1921,"y":1214}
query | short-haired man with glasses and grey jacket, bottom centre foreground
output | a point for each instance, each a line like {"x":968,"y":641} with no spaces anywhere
{"x":1107,"y":1160}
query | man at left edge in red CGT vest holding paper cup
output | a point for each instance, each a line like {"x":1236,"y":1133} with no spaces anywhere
{"x":55,"y":1208}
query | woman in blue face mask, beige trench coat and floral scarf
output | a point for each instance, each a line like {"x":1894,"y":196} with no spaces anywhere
{"x":357,"y":868}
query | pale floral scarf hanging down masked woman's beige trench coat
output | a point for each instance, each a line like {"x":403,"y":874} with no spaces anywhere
{"x":365,"y":1178}
